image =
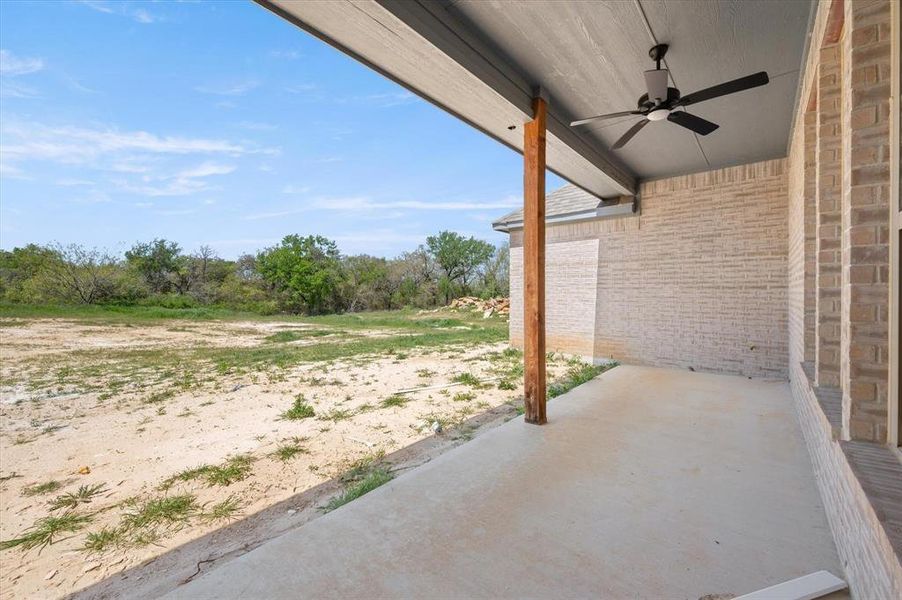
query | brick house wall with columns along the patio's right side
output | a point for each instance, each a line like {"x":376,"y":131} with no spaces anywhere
{"x":860,"y":31}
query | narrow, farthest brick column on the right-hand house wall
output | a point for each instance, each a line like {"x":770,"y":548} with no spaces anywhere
{"x":810,"y":242}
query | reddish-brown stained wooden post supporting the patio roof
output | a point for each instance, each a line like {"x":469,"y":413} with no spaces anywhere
{"x":534,"y":265}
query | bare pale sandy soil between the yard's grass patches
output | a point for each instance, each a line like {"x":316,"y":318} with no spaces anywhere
{"x":131,"y":447}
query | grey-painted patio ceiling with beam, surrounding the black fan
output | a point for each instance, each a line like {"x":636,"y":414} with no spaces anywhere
{"x":482,"y":61}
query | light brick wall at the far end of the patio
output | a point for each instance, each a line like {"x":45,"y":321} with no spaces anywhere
{"x":698,"y":280}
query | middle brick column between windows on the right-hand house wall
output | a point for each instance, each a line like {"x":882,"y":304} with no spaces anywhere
{"x":829,"y":189}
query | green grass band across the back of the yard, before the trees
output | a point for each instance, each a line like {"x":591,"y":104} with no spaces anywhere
{"x":407,"y":331}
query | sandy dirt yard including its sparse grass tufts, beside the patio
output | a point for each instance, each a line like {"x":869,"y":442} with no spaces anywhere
{"x":73,"y":413}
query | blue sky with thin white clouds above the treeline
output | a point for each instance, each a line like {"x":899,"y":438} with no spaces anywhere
{"x":220,"y":124}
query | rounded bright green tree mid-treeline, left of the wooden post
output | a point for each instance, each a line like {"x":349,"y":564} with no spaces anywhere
{"x":306,"y":270}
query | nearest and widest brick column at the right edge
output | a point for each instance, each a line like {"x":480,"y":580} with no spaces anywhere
{"x":865,"y":211}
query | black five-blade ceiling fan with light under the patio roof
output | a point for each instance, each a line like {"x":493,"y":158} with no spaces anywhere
{"x":662,"y":101}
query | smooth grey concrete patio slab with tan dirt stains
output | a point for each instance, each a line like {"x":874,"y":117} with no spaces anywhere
{"x":646,"y":483}
